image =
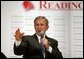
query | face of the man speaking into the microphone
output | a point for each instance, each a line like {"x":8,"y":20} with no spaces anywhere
{"x":40,"y":25}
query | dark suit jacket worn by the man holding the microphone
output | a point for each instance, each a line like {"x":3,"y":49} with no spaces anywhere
{"x":30,"y":48}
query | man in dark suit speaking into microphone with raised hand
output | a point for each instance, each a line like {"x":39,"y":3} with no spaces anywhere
{"x":36,"y":46}
